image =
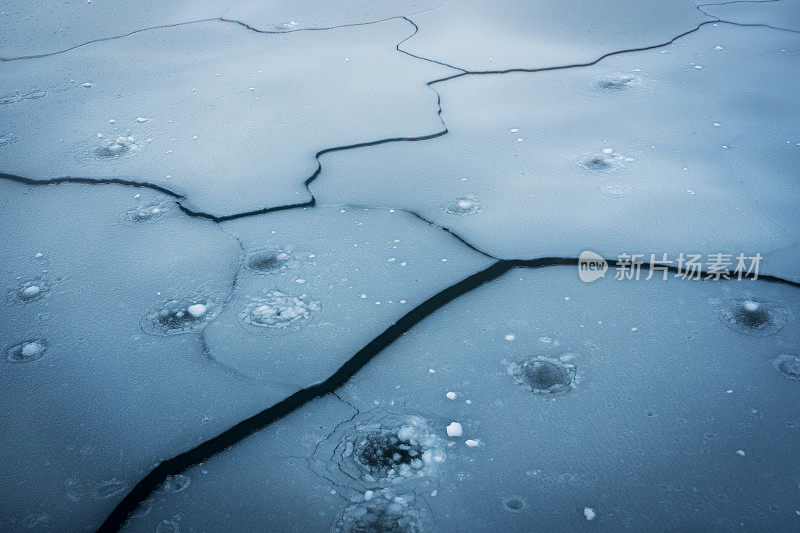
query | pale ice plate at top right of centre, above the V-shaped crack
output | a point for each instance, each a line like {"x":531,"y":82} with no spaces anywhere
{"x":535,"y":34}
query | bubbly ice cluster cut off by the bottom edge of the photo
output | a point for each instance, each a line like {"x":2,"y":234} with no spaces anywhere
{"x":383,"y":511}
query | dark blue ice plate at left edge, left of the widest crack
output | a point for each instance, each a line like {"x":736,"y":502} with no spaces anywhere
{"x":89,"y":400}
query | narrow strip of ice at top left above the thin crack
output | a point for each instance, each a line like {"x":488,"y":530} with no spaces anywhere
{"x":48,"y":26}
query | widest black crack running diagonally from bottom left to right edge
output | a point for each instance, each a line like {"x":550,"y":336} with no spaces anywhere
{"x":247,"y":427}
